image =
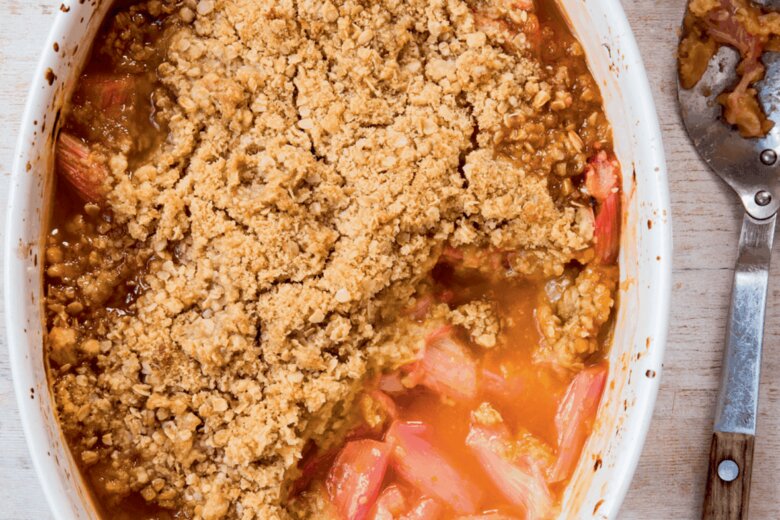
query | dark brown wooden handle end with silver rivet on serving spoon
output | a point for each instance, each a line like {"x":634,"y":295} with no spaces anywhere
{"x":727,"y":495}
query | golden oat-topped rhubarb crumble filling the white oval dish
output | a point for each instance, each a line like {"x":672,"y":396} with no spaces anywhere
{"x":331,"y":259}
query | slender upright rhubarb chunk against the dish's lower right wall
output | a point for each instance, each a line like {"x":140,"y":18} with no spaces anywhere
{"x":575,"y":417}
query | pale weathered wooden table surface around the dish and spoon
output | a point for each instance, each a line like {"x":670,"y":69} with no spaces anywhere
{"x":706,"y":216}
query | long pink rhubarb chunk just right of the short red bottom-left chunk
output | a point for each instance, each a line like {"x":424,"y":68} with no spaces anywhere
{"x":419,"y":463}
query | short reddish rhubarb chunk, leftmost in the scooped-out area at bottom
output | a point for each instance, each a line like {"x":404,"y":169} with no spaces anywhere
{"x":356,"y":477}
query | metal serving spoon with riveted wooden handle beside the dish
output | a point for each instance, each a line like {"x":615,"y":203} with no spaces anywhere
{"x":751,"y":167}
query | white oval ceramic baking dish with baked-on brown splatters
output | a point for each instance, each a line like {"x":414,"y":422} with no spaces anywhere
{"x":605,"y":470}
